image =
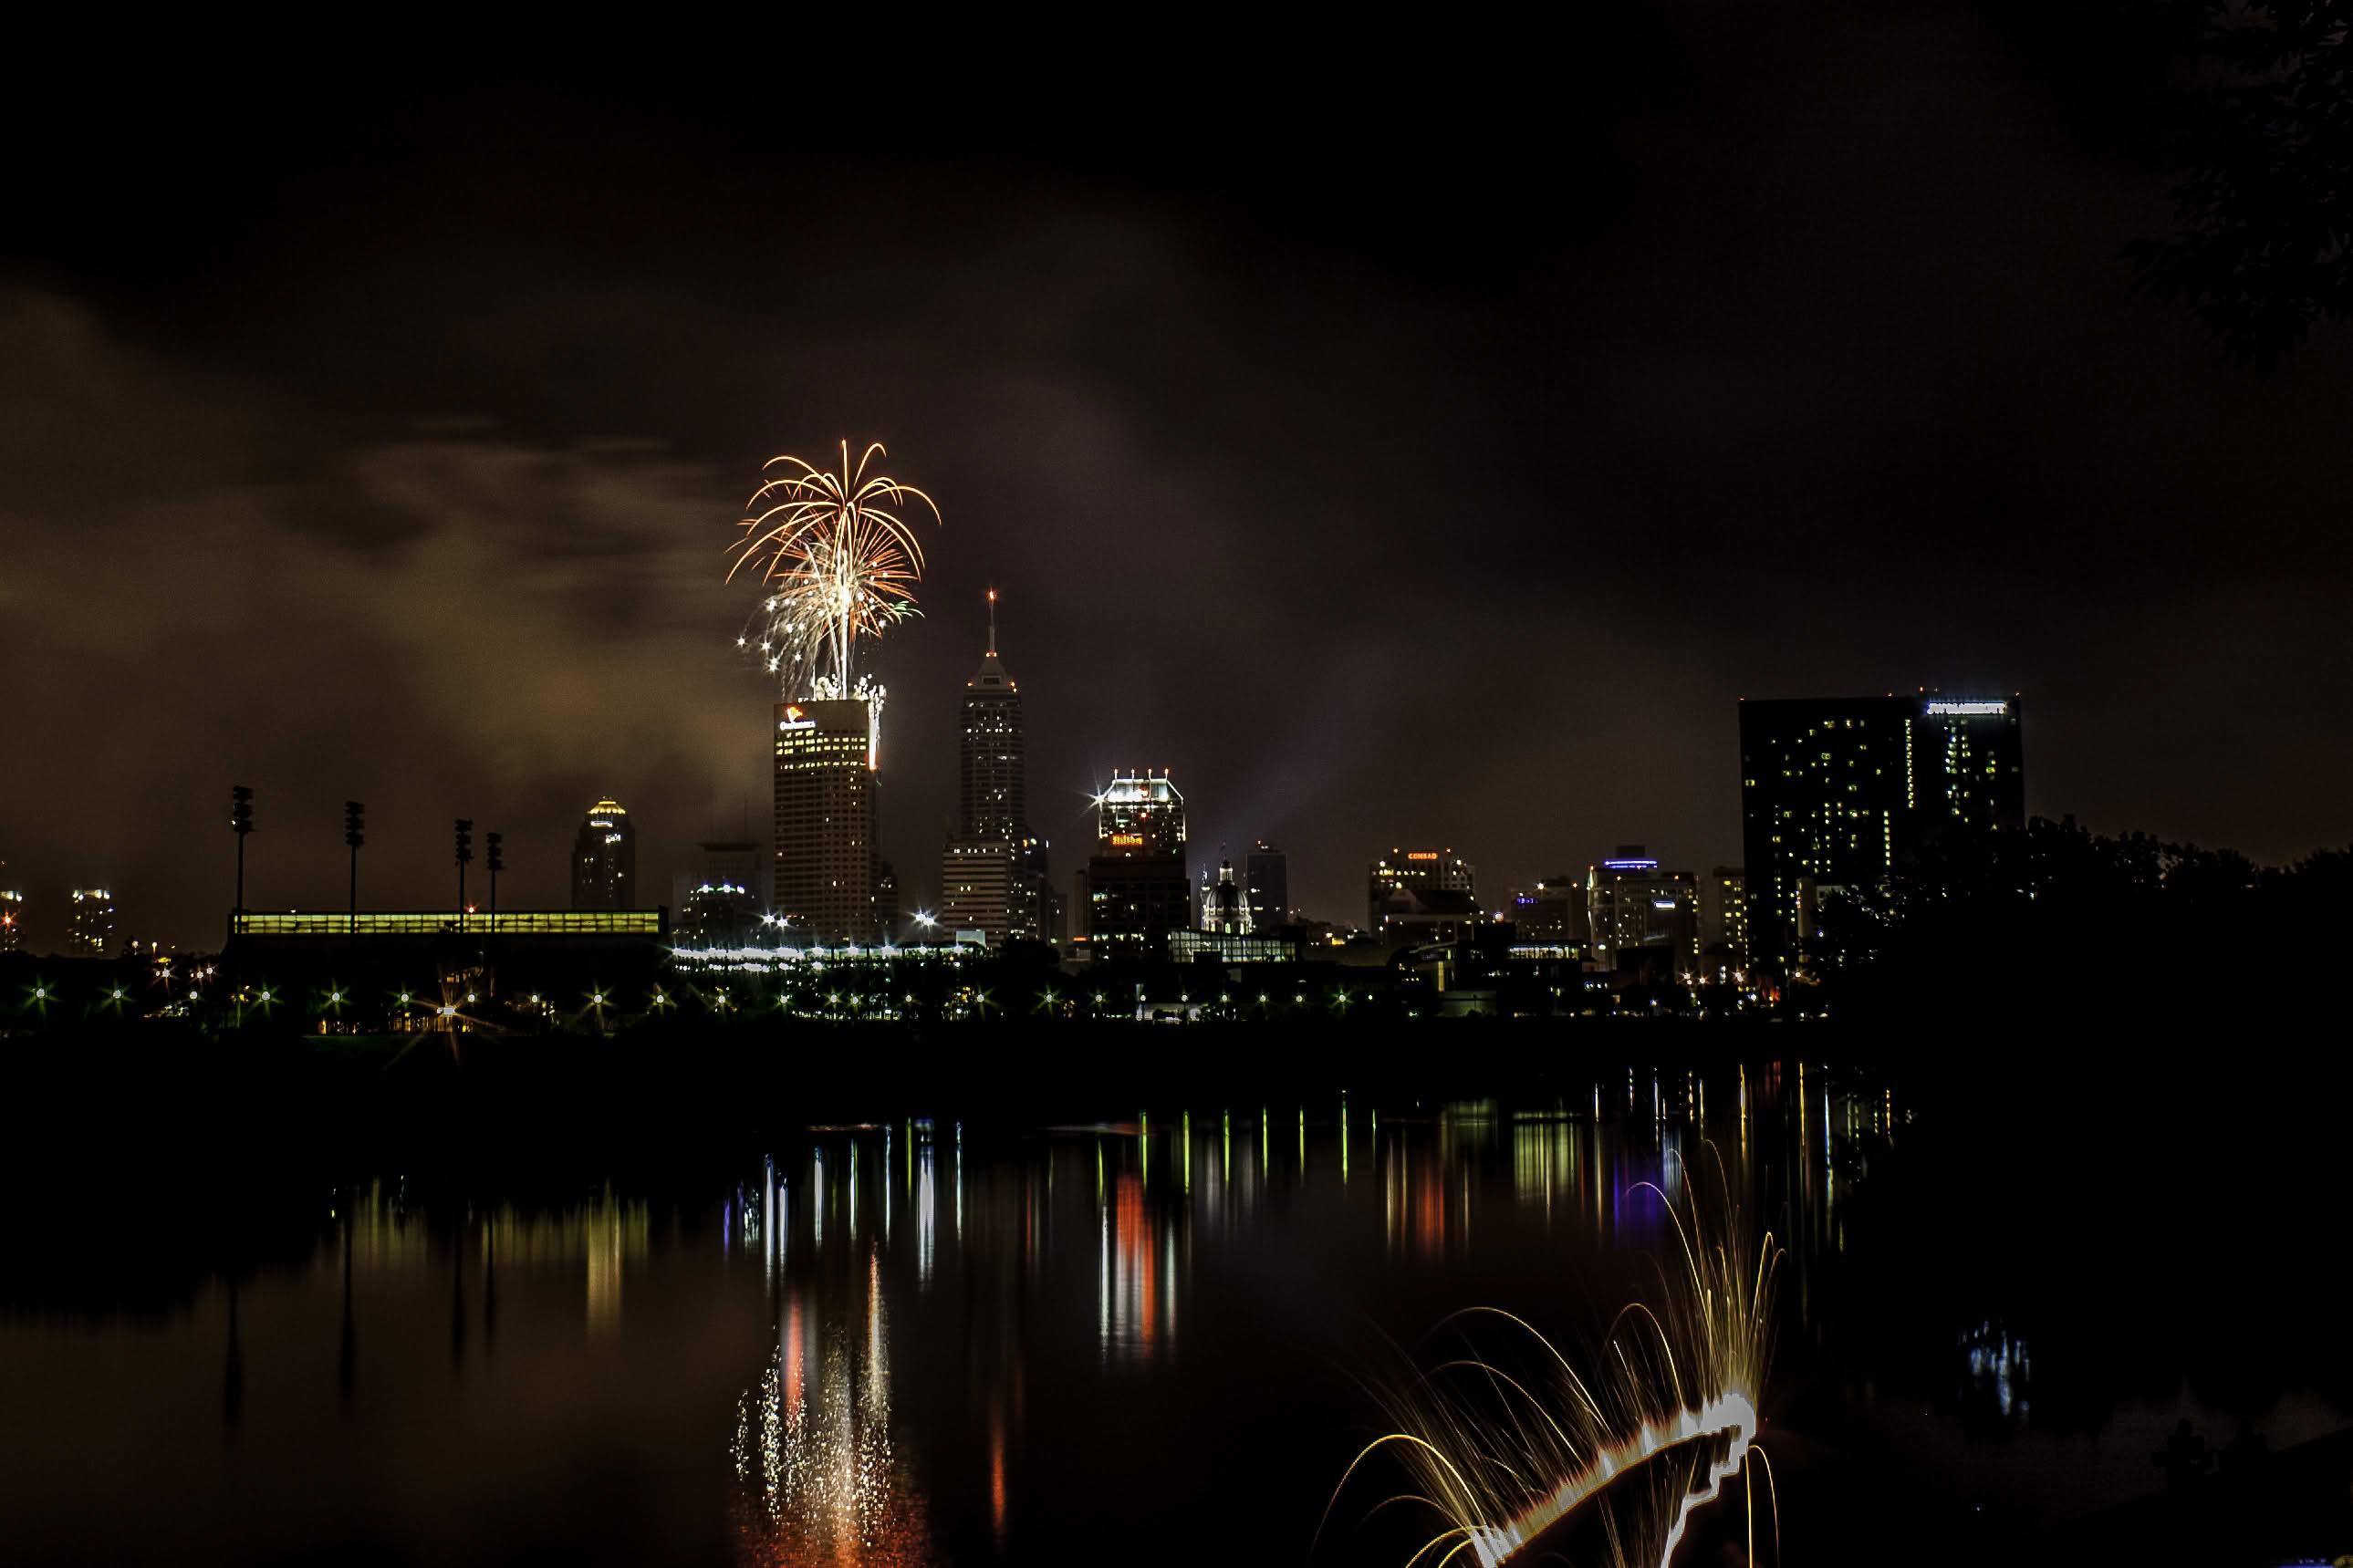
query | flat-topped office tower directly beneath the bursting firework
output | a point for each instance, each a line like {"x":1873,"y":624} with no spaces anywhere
{"x":827,"y":866}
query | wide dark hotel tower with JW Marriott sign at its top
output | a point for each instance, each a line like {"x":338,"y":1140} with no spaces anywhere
{"x":1844,"y":793}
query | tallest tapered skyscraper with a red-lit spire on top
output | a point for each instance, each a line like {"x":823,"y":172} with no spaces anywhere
{"x":992,"y":871}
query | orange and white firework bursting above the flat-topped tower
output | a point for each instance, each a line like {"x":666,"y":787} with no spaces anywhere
{"x":839,"y":561}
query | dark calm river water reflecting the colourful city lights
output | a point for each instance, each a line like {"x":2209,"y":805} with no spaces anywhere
{"x":1147,"y":1339}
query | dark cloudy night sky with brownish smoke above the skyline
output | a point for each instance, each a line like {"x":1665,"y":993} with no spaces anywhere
{"x":1399,"y":438}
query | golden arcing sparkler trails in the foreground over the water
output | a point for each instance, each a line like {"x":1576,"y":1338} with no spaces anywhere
{"x":1519,"y":1459}
